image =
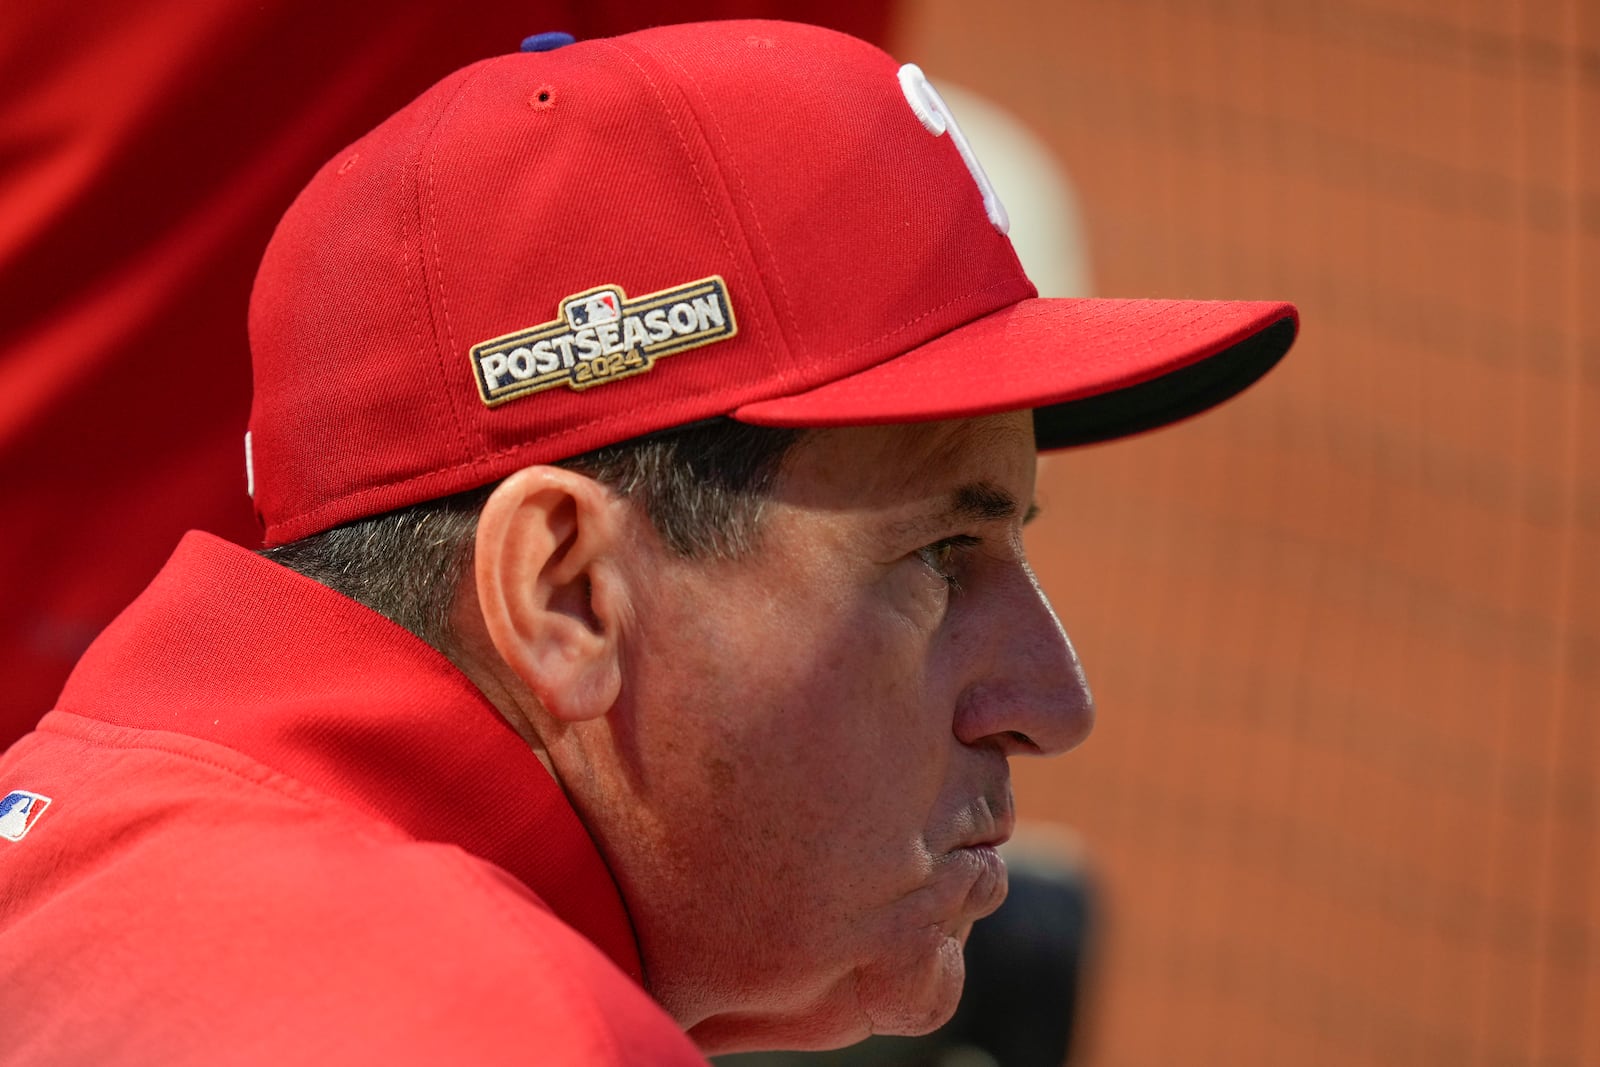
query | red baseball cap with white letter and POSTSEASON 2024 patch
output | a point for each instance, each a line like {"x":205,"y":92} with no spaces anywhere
{"x":577,"y":246}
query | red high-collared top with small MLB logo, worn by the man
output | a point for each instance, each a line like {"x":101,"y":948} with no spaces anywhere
{"x":281,"y":829}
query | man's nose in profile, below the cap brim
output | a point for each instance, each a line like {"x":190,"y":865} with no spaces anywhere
{"x":1034,"y":698}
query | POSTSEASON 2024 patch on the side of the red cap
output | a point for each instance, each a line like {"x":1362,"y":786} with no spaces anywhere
{"x":602,"y":337}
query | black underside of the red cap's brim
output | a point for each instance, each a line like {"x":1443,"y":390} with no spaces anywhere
{"x":1167,"y":399}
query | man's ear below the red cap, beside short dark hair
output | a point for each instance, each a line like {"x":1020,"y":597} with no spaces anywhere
{"x":550,"y":591}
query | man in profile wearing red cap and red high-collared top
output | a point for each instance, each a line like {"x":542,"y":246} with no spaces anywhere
{"x":644,"y":434}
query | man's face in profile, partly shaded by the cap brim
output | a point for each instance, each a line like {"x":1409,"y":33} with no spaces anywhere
{"x":815,"y":738}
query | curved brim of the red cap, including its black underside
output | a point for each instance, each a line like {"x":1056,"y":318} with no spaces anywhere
{"x":1090,"y":369}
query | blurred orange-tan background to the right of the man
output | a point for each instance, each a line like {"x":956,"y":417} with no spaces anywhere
{"x":1345,"y":633}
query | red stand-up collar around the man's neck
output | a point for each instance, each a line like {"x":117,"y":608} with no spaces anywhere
{"x":246,"y":653}
